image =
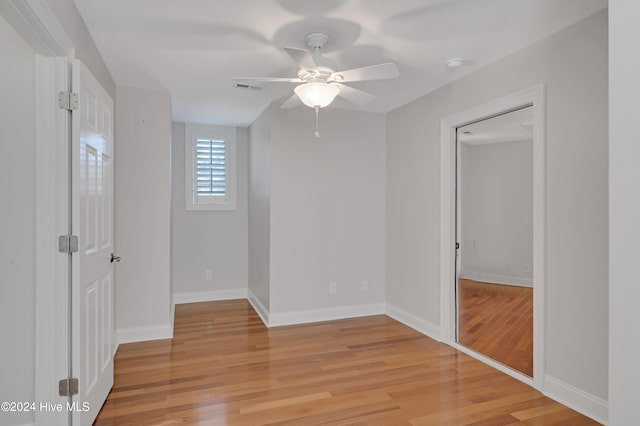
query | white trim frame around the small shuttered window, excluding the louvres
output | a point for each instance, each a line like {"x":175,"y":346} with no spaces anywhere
{"x":194,"y":132}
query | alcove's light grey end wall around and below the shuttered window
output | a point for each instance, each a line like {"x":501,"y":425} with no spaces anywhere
{"x":202,"y":240}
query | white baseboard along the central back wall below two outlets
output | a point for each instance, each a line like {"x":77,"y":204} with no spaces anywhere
{"x":328,"y":314}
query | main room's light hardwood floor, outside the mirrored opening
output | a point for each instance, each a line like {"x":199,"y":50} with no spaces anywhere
{"x":224,"y":367}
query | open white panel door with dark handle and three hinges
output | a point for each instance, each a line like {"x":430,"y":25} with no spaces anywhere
{"x":93,"y":291}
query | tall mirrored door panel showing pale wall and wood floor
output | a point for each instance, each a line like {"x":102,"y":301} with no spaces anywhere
{"x":494,"y":238}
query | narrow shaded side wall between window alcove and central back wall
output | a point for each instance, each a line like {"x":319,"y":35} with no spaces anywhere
{"x":260,"y":206}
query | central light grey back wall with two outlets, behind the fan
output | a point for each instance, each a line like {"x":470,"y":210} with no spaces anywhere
{"x":327,"y":209}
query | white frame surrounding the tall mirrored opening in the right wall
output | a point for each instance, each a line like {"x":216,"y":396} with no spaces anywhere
{"x":534,"y":96}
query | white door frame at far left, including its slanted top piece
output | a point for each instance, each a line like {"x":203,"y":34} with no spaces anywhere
{"x":36,"y":23}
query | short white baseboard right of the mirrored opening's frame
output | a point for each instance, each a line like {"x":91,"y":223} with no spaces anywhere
{"x":577,"y":399}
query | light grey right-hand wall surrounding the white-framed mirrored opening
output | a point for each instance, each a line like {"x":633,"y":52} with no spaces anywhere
{"x":573,"y":66}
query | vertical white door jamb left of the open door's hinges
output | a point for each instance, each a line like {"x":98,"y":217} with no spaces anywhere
{"x":53,"y":143}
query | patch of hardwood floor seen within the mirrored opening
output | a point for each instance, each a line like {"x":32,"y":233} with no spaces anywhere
{"x":497,"y":321}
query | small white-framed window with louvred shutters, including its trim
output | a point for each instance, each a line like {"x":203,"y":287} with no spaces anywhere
{"x":210,"y":167}
